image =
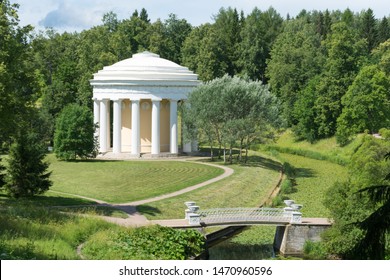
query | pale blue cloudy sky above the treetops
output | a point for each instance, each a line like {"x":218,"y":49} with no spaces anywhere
{"x":76,"y":15}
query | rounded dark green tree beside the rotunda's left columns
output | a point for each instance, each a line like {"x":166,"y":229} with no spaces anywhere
{"x":74,"y":133}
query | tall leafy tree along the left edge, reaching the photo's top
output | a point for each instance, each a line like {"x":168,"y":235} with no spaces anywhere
{"x":18,"y":85}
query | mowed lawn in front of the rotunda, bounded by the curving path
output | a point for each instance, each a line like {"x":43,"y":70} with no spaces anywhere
{"x":126,"y":181}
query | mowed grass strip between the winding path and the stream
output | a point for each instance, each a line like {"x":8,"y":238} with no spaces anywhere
{"x":248,"y":186}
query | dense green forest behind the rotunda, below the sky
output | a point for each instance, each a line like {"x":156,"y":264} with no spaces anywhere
{"x":328,"y":69}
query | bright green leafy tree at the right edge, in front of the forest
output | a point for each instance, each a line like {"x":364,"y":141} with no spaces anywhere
{"x":365,"y":105}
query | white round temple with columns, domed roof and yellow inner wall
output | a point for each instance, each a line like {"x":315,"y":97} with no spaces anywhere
{"x":143,"y":93}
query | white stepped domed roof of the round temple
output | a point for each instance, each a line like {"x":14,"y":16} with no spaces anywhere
{"x":145,"y":66}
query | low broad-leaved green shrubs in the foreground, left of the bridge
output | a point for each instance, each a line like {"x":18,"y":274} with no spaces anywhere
{"x":146,"y":243}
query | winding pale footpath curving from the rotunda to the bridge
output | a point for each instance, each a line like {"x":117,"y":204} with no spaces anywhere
{"x":134,"y":218}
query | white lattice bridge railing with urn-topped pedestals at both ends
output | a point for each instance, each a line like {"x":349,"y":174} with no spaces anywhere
{"x":241,"y":215}
